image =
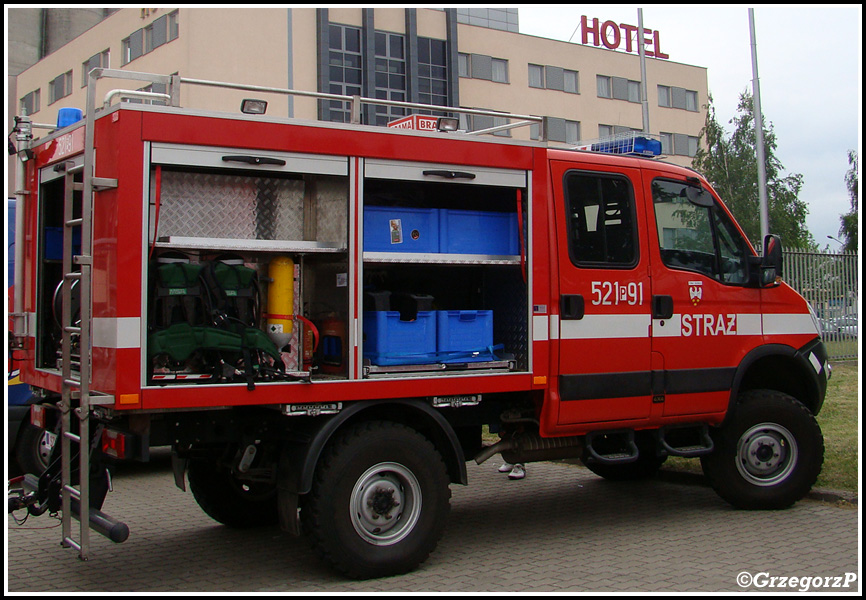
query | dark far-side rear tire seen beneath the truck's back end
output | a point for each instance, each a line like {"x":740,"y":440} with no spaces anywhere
{"x":230,"y":501}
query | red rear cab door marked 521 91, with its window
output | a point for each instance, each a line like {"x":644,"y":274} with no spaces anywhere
{"x":604,"y":344}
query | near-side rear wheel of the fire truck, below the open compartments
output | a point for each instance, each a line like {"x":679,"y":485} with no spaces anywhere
{"x":379,"y":502}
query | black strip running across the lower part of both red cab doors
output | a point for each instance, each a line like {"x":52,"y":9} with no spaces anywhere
{"x":645,"y":383}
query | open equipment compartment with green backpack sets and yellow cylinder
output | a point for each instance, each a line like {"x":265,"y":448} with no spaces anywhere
{"x":247,"y":266}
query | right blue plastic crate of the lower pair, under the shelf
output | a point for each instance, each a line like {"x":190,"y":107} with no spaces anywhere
{"x":464,"y":335}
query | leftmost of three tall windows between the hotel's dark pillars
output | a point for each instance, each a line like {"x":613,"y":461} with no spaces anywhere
{"x":344,"y":68}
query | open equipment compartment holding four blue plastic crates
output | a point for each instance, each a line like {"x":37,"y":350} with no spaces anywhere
{"x":444,"y":269}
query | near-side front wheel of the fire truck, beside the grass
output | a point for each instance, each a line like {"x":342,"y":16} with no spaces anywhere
{"x":768,"y":455}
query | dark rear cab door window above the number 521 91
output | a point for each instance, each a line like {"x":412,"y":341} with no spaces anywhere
{"x":600,"y":219}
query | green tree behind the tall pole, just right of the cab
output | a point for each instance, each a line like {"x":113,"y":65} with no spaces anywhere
{"x":730,"y":164}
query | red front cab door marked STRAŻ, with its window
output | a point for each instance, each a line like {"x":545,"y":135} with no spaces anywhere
{"x":706,"y":312}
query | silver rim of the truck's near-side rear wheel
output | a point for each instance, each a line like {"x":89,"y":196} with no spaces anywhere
{"x":385,"y":504}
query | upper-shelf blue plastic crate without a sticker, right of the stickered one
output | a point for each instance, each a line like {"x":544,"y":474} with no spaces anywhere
{"x":478,"y":232}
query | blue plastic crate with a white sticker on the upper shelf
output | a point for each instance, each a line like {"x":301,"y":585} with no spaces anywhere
{"x":398,"y":229}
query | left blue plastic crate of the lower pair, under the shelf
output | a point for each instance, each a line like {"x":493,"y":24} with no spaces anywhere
{"x":390,"y":341}
